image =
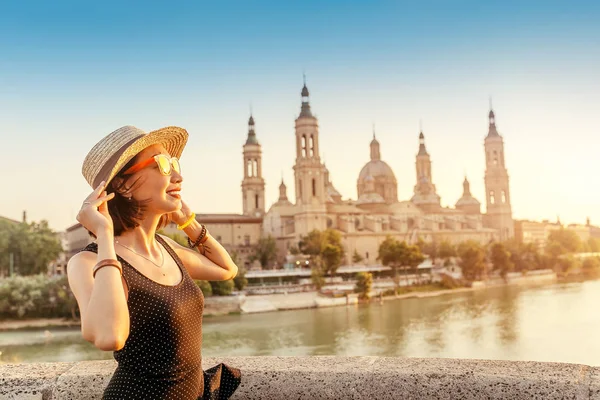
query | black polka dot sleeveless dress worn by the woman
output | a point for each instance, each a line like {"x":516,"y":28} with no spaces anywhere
{"x":162,"y":357}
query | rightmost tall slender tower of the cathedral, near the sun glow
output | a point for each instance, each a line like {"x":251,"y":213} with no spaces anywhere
{"x":498,"y":208}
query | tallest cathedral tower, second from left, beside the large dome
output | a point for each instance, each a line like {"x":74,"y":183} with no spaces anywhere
{"x":309,"y":171}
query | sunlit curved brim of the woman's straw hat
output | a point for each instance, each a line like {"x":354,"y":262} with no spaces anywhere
{"x":172,"y":138}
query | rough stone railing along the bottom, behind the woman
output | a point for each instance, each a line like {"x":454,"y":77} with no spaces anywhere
{"x":333,"y":378}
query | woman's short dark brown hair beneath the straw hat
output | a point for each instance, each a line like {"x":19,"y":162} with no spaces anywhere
{"x":125,"y":212}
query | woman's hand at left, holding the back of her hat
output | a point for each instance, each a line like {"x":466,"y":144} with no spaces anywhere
{"x":93,"y":214}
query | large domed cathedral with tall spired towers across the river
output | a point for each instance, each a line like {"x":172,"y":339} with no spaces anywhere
{"x":377,"y":212}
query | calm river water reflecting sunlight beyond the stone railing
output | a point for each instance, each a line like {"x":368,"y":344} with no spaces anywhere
{"x":559,"y":322}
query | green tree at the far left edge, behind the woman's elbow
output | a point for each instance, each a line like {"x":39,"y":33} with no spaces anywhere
{"x":33,"y":246}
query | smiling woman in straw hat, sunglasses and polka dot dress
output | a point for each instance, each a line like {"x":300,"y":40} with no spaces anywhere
{"x":135,"y":288}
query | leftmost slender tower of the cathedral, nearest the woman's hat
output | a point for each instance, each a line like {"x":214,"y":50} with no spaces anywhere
{"x":253,"y":184}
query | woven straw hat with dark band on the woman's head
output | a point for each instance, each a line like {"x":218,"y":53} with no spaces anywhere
{"x":116,"y":149}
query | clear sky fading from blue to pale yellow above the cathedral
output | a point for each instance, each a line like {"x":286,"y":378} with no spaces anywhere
{"x":72,"y":73}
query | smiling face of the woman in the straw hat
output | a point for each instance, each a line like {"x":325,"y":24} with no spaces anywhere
{"x":154,"y":186}
